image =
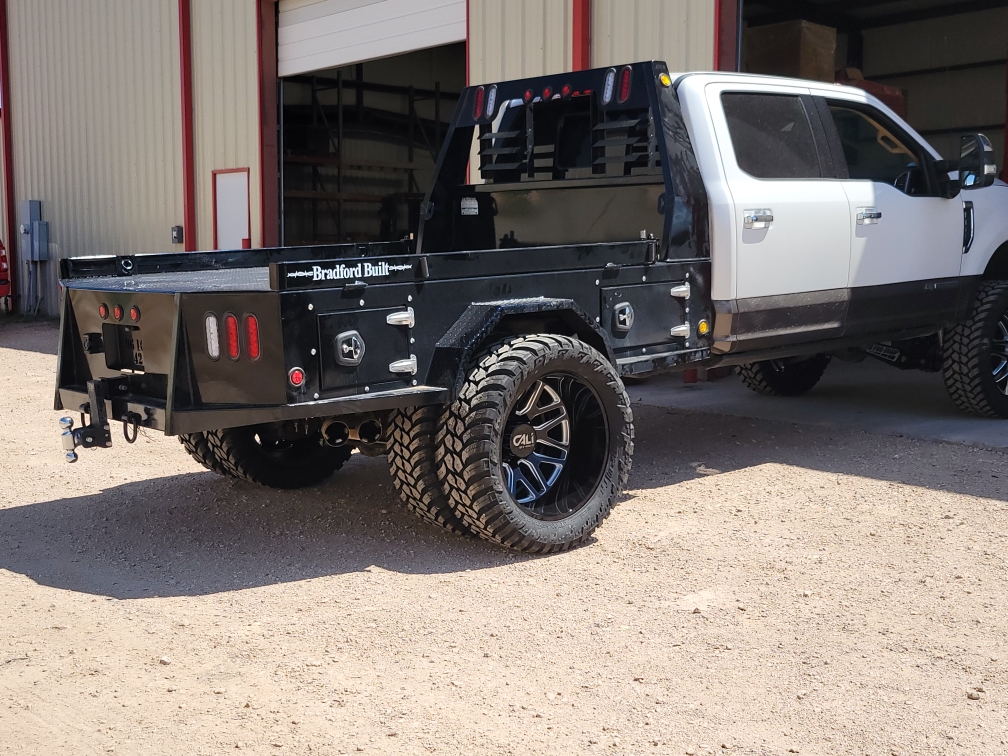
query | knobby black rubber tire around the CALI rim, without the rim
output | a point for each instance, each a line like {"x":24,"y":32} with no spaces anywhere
{"x":472,"y":435}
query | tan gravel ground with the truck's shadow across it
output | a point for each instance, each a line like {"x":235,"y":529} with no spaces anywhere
{"x":764,"y":588}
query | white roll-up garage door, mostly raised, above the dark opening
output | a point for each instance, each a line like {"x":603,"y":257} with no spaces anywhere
{"x":316,"y":35}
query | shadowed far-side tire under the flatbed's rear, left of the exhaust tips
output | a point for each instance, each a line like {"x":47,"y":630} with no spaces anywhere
{"x":298,"y":465}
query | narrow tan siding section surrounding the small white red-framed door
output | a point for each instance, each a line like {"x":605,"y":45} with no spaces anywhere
{"x":225,"y":105}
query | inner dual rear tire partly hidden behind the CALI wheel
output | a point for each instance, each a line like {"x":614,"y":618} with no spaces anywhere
{"x":413,"y":464}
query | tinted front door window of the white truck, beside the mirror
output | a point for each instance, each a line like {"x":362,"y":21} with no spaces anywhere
{"x":872,"y":152}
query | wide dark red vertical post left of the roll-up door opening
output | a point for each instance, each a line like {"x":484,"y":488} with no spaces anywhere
{"x":270,"y":170}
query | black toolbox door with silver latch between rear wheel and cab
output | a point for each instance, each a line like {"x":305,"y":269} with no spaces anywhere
{"x":642,"y":316}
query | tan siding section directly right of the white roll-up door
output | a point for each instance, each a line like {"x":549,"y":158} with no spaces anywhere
{"x":518,"y":39}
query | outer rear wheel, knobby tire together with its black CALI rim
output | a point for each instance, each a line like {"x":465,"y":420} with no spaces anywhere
{"x":537,"y":449}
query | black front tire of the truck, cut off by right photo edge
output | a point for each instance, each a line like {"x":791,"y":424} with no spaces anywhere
{"x":968,"y":366}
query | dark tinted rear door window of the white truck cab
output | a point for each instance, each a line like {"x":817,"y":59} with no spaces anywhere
{"x":772,"y":136}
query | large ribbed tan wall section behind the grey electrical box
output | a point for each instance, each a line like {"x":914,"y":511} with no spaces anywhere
{"x":96,"y":121}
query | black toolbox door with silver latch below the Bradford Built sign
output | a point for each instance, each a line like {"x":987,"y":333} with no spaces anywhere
{"x":377,"y":345}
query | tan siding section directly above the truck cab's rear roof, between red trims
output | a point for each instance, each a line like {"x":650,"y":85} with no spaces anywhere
{"x":681,"y":33}
